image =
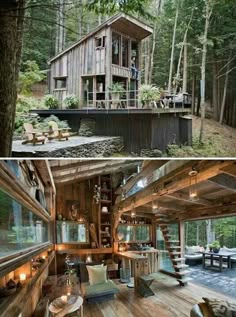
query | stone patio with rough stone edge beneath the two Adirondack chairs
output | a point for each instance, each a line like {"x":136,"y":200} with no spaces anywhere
{"x":76,"y":146}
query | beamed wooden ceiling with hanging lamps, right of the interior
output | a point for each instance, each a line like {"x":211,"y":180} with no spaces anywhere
{"x":216,"y":186}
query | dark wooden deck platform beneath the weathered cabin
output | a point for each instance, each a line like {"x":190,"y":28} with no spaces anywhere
{"x":140,"y":128}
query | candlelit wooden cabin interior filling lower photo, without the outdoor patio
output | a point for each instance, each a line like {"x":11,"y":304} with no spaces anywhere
{"x":58,"y":216}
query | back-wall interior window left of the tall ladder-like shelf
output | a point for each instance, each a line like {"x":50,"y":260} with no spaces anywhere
{"x":72,"y":232}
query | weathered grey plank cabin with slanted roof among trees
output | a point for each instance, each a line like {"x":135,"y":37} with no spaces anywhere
{"x":89,"y":67}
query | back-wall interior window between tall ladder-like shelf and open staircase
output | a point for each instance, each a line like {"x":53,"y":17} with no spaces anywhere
{"x":135,"y":233}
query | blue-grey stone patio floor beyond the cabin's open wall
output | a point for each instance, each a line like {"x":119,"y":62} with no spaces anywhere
{"x":224,"y":282}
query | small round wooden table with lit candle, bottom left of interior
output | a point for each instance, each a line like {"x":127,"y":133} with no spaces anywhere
{"x":72,"y":304}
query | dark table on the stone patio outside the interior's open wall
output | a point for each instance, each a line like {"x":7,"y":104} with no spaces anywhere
{"x":217,"y":257}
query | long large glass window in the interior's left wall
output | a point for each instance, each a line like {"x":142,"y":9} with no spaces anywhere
{"x":19,"y":227}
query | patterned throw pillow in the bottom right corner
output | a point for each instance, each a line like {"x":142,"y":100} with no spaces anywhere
{"x":221,"y":308}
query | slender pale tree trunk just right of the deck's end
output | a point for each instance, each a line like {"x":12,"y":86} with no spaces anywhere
{"x":208,"y":10}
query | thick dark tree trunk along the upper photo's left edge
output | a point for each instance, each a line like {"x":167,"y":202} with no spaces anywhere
{"x":11,"y":34}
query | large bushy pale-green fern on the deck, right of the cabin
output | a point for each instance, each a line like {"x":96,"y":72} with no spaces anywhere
{"x":148,"y":94}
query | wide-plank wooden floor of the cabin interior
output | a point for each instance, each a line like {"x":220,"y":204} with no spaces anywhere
{"x":170,"y":300}
